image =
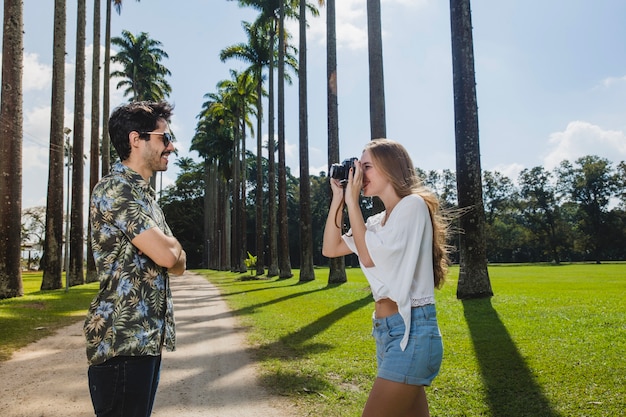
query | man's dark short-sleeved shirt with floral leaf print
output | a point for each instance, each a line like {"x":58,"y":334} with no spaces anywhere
{"x":132,"y":314}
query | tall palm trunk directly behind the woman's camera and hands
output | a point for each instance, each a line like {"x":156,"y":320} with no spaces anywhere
{"x":337,"y":271}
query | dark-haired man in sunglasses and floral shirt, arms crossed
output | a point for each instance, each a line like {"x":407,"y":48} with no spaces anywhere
{"x":131,"y":318}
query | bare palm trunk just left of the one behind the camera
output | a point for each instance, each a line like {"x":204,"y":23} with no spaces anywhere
{"x":306,"y":232}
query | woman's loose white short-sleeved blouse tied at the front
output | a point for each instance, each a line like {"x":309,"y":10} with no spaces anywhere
{"x":401,"y":250}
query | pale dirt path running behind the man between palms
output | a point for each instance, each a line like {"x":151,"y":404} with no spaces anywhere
{"x":210,"y":374}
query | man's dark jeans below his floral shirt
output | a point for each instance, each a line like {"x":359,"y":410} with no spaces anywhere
{"x":124,"y":386}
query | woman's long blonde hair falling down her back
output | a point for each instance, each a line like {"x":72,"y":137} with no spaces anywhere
{"x":393,"y":161}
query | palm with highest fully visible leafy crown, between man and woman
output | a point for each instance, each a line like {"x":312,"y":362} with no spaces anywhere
{"x":257,"y":53}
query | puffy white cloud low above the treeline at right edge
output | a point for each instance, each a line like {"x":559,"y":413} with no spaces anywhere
{"x":582,"y":138}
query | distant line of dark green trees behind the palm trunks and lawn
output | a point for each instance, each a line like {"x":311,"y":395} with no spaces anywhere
{"x":576,"y":212}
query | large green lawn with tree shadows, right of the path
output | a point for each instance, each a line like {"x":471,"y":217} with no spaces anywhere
{"x":550,"y":342}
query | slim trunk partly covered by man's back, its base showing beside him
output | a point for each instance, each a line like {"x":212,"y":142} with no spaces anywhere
{"x":94,"y":149}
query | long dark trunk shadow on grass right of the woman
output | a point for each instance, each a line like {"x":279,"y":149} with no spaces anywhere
{"x":511,"y":388}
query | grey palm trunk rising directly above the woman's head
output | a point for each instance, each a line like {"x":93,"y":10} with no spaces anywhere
{"x":378,"y":124}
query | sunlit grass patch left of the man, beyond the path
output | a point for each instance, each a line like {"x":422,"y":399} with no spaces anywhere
{"x":38,"y":313}
